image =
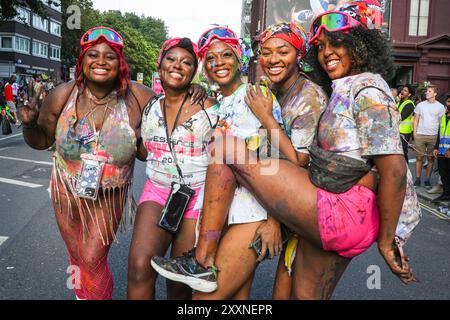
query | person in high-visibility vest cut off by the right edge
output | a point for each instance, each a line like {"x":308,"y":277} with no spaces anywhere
{"x":442,"y":151}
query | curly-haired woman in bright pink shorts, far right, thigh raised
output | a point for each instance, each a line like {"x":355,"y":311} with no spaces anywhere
{"x":333,"y":206}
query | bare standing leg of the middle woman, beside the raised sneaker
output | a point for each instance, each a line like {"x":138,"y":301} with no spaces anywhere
{"x":236,"y":263}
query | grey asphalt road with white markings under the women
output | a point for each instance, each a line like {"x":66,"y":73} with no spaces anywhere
{"x":33,"y":260}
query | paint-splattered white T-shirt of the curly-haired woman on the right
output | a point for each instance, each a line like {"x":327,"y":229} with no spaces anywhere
{"x":365,"y":127}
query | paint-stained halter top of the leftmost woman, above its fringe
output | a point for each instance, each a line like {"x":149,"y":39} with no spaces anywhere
{"x":116,"y":141}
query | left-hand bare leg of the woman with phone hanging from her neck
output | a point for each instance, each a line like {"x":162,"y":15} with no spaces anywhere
{"x":148,"y":240}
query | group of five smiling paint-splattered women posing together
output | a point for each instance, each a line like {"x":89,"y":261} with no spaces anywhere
{"x":340,"y":182}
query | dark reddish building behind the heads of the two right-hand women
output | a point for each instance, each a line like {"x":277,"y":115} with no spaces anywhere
{"x":419,"y":31}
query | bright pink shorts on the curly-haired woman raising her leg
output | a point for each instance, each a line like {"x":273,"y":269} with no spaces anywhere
{"x":349,"y":221}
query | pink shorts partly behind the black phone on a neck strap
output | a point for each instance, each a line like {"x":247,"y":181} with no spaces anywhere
{"x":160,"y":195}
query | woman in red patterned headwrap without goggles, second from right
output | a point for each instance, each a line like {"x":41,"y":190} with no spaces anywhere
{"x":283,"y":48}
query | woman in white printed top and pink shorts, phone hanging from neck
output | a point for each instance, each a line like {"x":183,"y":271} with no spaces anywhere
{"x":171,"y":117}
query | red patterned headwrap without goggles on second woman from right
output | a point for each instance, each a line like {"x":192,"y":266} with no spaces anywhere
{"x":292,"y":32}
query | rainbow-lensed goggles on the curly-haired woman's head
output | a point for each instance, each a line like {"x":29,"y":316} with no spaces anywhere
{"x":332,"y":22}
